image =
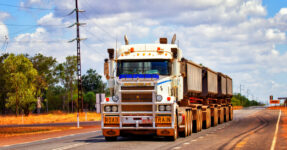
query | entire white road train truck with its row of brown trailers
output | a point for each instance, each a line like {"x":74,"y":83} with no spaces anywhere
{"x":155,"y":90}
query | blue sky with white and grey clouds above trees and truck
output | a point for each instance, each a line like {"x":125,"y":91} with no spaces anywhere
{"x":245,"y":39}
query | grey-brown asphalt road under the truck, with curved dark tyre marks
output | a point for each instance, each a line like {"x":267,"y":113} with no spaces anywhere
{"x":251,"y":128}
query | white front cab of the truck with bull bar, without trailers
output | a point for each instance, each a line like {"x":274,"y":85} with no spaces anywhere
{"x":144,"y":82}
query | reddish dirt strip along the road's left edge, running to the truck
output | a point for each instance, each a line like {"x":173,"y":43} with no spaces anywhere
{"x":40,"y":136}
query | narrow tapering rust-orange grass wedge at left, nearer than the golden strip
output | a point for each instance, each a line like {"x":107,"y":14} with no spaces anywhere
{"x":8,"y":132}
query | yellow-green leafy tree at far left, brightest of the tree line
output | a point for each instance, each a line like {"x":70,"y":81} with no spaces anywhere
{"x":20,"y":80}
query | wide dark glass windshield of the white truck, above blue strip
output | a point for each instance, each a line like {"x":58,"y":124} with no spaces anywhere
{"x":160,"y":67}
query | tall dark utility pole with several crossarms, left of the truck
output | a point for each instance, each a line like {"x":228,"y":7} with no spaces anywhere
{"x":79,"y":74}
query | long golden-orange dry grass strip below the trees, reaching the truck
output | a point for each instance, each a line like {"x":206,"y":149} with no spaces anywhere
{"x":49,"y":118}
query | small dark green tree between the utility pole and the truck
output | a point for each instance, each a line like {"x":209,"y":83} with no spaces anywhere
{"x":92,"y":81}
